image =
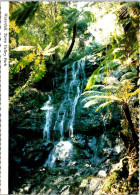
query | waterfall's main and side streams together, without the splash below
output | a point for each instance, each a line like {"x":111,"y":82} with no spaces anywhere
{"x":74,"y":77}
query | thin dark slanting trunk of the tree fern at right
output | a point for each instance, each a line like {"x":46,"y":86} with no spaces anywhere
{"x":128,"y":116}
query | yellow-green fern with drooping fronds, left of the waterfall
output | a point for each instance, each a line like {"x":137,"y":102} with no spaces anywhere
{"x":37,"y":65}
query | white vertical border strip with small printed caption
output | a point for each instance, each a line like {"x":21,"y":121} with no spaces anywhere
{"x":4,"y":100}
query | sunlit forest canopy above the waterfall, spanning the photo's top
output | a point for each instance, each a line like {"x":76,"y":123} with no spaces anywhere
{"x":45,"y":34}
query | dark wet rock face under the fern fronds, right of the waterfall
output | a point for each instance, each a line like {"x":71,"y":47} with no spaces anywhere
{"x":90,"y":122}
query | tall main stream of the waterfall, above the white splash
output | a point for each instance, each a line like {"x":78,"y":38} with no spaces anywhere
{"x":74,"y":86}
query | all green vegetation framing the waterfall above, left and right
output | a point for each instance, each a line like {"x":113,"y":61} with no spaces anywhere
{"x":46,"y":36}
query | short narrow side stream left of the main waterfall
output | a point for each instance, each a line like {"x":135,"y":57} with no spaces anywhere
{"x":49,"y":111}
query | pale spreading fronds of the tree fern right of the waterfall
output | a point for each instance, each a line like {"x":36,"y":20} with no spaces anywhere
{"x":121,"y":91}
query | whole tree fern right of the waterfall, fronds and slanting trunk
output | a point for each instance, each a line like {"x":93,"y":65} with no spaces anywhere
{"x":117,"y":91}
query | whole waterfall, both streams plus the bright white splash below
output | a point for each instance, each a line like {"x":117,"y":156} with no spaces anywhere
{"x":73,"y":86}
